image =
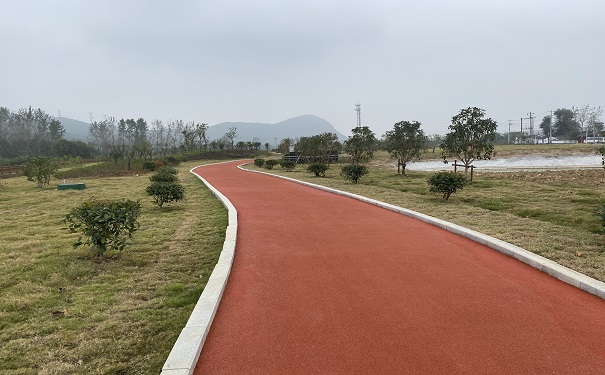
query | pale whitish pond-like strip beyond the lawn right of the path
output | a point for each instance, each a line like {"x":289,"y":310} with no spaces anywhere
{"x":518,"y":163}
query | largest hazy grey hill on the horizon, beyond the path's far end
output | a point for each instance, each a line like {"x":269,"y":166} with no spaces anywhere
{"x":301,"y":126}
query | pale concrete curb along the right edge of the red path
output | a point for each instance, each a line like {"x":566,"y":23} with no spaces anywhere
{"x":548,"y":266}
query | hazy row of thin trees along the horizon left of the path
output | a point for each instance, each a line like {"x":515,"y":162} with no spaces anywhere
{"x":36,"y":133}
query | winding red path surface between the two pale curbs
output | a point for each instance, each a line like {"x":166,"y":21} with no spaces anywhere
{"x":324,"y":284}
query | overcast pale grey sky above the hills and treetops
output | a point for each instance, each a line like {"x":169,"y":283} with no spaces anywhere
{"x":266,"y":61}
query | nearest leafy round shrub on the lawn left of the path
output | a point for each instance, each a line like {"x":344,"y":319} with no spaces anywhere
{"x":106,"y":225}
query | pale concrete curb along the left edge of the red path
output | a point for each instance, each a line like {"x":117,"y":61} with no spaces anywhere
{"x":187,"y":348}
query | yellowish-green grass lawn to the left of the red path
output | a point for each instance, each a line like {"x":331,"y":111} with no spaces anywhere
{"x":62,"y":311}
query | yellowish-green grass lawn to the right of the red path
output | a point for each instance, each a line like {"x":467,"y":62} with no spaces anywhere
{"x":549,"y":213}
